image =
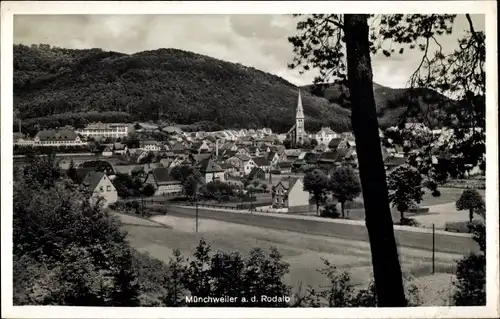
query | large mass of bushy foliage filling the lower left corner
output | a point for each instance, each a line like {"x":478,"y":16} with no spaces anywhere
{"x":67,"y":251}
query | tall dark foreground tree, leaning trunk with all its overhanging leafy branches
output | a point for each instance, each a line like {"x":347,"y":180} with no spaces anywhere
{"x":332,"y":44}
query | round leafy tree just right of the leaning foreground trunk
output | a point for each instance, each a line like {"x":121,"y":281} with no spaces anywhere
{"x":405,"y":188}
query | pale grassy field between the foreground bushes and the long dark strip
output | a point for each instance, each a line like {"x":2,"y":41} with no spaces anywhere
{"x":303,"y":252}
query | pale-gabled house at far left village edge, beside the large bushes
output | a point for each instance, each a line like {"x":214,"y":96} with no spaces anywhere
{"x":99,"y":187}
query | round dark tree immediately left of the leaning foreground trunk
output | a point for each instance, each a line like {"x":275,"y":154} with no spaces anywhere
{"x":344,"y":185}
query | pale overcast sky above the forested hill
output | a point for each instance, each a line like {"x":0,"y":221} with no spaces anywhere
{"x":259,"y":41}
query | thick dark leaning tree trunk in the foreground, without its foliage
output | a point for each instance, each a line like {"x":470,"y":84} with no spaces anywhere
{"x":386,"y":267}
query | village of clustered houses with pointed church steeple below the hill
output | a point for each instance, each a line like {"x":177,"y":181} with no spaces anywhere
{"x":242,"y":168}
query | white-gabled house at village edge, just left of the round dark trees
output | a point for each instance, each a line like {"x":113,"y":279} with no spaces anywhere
{"x":291,"y":197}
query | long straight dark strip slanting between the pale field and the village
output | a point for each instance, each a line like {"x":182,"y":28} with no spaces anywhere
{"x":443,"y":243}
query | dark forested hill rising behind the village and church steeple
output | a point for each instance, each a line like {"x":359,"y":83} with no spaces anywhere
{"x":55,"y":86}
